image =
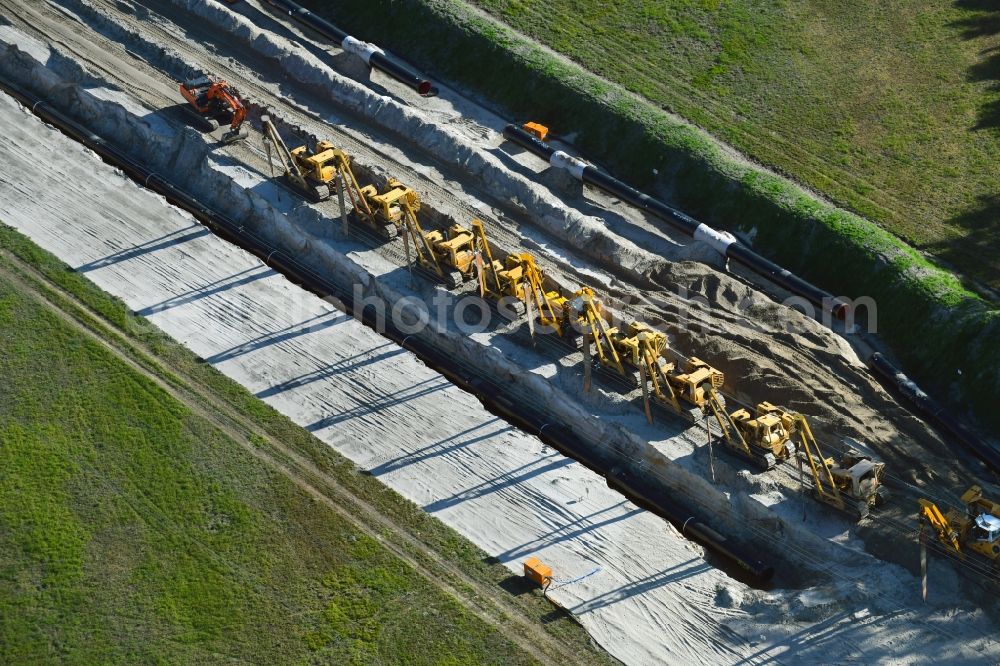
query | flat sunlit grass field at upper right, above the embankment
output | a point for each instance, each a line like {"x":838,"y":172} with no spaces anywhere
{"x":890,"y":108}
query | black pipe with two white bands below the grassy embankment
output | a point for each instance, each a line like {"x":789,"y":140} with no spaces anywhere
{"x":724,"y":243}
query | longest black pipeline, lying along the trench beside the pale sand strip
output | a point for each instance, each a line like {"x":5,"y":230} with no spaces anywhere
{"x":521,"y":415}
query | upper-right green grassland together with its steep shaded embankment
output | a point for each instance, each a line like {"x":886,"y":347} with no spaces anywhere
{"x":888,"y":109}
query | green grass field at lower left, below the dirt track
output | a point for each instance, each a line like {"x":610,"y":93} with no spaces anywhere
{"x":132,"y":530}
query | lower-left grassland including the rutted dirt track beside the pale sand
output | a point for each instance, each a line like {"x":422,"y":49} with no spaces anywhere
{"x":172,"y":543}
